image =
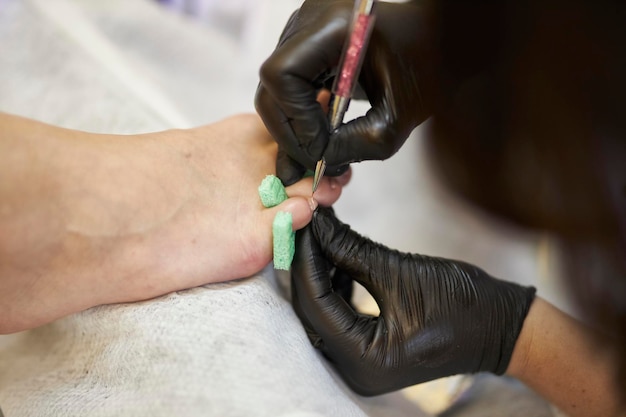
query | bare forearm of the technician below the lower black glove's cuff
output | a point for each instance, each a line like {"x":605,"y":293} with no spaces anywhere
{"x":547,"y":358}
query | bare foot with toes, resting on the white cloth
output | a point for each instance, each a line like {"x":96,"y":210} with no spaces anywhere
{"x":89,"y":219}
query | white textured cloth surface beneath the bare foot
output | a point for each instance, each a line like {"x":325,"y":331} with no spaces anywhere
{"x":232,"y":349}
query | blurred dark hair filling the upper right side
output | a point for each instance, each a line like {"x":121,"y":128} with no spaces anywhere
{"x":530,"y":123}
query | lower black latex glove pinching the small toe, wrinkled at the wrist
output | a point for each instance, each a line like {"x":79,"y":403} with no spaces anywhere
{"x":438,"y":317}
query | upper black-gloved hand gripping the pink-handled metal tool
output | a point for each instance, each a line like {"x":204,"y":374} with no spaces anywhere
{"x":394,"y":77}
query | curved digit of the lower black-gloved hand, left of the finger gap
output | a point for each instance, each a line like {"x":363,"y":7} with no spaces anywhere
{"x":326,"y":311}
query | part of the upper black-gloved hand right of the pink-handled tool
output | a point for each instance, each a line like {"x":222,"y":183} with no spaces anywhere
{"x":395,"y":79}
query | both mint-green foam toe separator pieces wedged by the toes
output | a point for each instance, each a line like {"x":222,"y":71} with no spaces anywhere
{"x":273,"y":193}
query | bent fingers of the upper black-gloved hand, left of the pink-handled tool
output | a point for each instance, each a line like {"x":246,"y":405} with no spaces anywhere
{"x":290,"y":79}
